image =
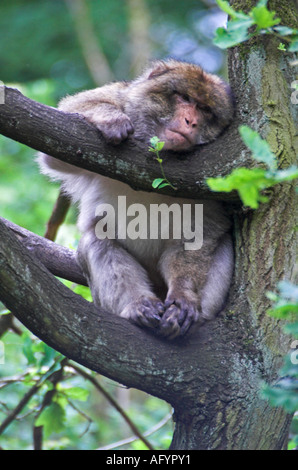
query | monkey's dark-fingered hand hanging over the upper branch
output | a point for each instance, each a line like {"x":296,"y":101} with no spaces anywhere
{"x":115,"y":126}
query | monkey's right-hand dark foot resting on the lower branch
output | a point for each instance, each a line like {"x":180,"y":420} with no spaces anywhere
{"x":180,"y":314}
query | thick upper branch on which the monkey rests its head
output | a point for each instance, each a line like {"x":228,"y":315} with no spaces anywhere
{"x":71,"y":138}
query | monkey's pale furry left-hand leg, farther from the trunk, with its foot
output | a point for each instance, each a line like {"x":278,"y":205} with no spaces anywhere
{"x":118,"y":282}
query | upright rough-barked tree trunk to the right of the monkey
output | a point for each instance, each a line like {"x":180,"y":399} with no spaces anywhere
{"x":247,"y":345}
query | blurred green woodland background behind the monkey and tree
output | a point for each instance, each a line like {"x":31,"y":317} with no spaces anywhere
{"x":49,"y":48}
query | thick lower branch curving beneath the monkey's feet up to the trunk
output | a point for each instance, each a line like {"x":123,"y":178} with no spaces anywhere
{"x":99,"y":340}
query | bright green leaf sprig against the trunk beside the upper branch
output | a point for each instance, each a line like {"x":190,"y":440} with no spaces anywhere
{"x":250,"y":182}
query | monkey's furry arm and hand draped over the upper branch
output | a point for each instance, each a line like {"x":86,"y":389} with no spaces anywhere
{"x":103,"y":107}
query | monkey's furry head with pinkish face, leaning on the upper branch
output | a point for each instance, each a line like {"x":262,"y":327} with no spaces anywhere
{"x":179,"y":103}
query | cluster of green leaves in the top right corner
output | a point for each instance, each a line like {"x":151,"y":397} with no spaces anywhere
{"x":263,"y":20}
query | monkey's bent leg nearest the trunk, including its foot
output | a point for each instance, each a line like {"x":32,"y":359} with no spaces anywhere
{"x":198,"y":282}
